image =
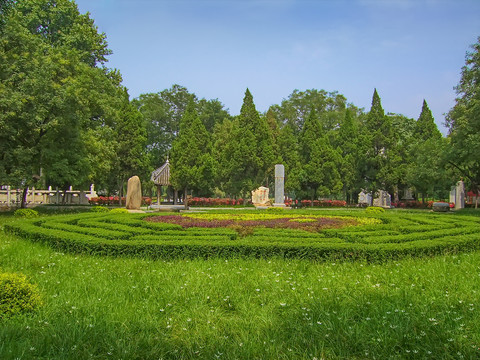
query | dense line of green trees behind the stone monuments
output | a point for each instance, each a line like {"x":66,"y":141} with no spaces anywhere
{"x":66,"y":119}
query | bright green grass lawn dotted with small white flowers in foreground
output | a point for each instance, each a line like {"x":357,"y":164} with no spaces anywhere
{"x":126,"y":308}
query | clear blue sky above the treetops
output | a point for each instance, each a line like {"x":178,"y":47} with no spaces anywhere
{"x":409,"y":50}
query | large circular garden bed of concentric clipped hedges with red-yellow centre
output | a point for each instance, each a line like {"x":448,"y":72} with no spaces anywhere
{"x":317,"y":235}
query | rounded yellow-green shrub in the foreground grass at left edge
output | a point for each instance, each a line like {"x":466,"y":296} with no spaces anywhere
{"x":17,"y":295}
